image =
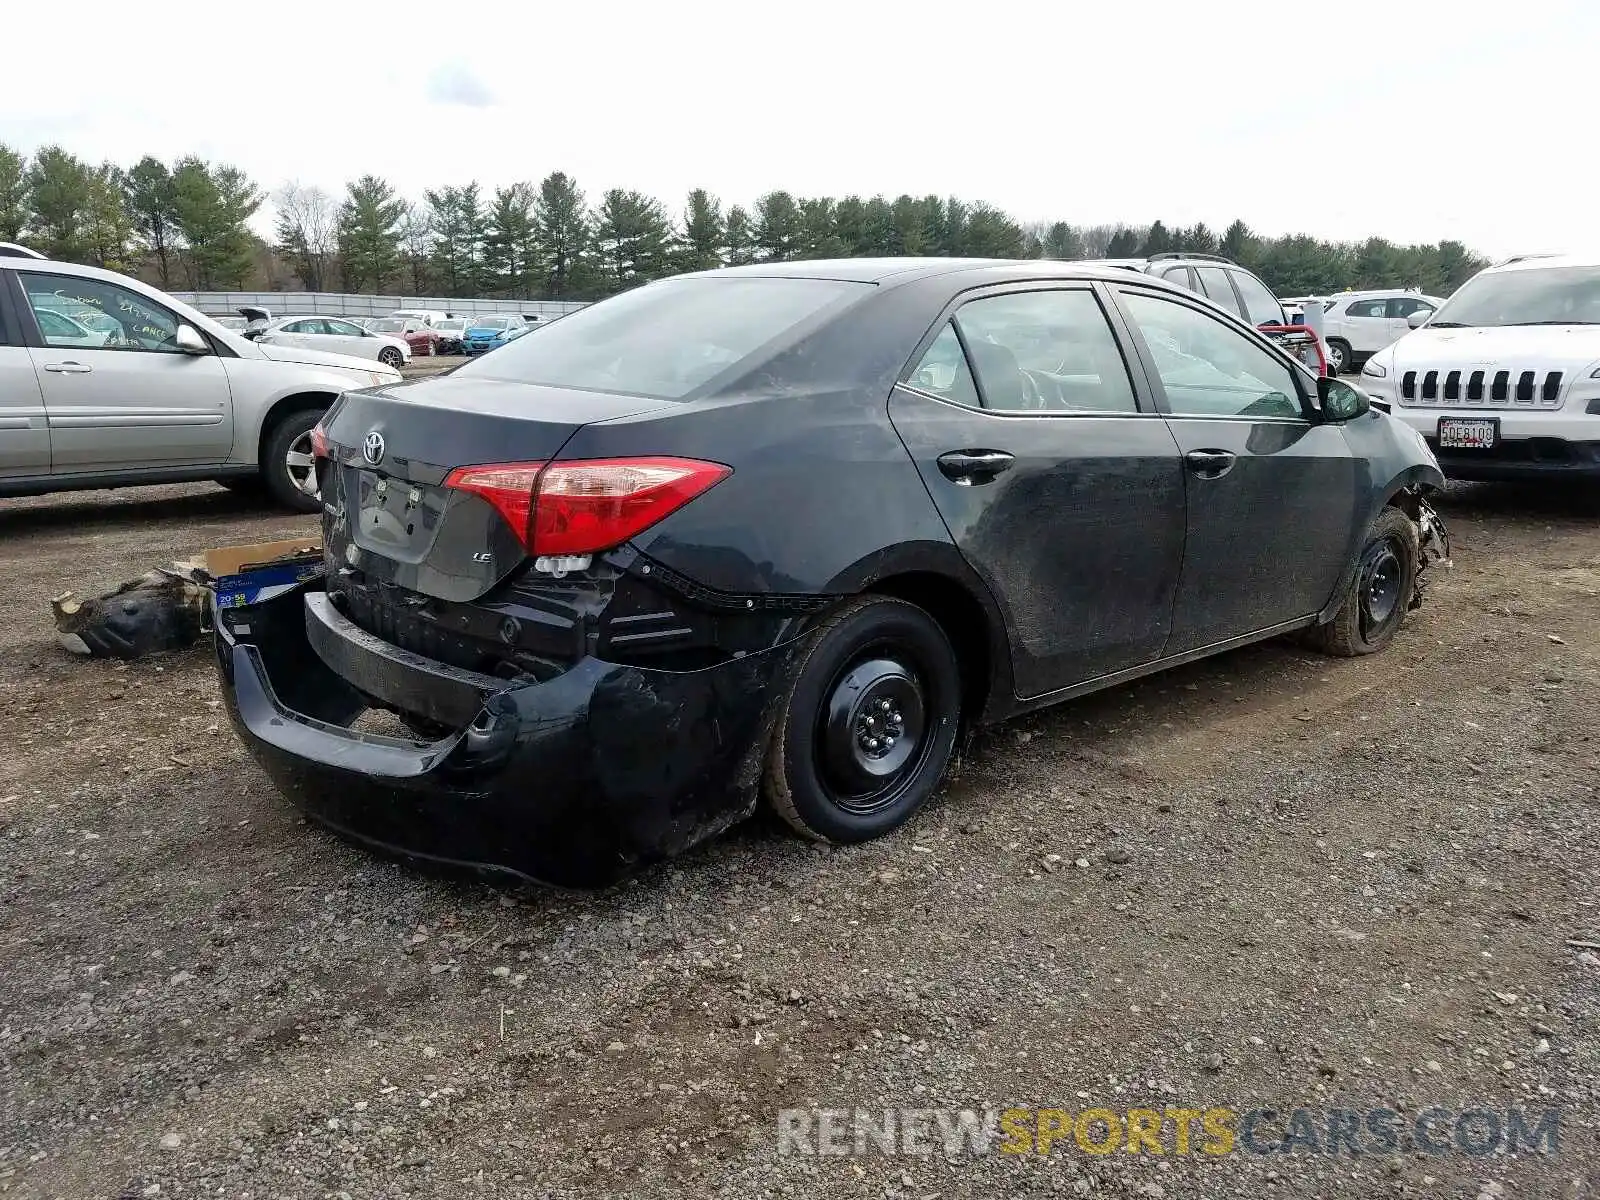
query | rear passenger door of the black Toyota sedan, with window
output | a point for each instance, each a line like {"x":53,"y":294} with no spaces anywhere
{"x":1063,"y":492}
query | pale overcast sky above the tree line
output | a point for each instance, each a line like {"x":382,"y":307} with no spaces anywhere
{"x":1410,"y":119}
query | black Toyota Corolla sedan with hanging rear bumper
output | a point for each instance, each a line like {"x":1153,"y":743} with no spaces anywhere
{"x":785,"y":532}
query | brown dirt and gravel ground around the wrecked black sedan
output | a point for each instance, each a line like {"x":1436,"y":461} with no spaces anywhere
{"x":1265,"y":881}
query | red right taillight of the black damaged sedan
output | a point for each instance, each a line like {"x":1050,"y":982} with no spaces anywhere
{"x":585,"y":506}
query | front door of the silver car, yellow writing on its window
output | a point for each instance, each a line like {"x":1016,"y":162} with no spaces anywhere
{"x":134,"y":399}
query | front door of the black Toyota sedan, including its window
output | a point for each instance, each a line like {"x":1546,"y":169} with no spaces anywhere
{"x":1270,"y":490}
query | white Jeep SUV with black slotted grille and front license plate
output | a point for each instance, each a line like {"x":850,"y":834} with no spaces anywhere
{"x":1505,"y":378}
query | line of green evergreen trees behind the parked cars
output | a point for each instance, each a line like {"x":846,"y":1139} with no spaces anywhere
{"x":186,"y":225}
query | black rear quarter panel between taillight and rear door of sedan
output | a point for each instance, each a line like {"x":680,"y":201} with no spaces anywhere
{"x":822,"y":489}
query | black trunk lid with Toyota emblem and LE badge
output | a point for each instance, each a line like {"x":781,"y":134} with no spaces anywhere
{"x":391,"y":450}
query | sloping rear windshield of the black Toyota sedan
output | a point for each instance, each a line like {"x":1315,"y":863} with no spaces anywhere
{"x":668,"y":338}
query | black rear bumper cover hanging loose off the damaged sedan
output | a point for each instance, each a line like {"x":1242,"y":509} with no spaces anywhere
{"x":574,"y":782}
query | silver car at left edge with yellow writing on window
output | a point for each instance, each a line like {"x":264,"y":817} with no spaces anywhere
{"x":158,"y":394}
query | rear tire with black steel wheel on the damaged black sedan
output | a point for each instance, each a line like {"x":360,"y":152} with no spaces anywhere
{"x":868,"y":722}
